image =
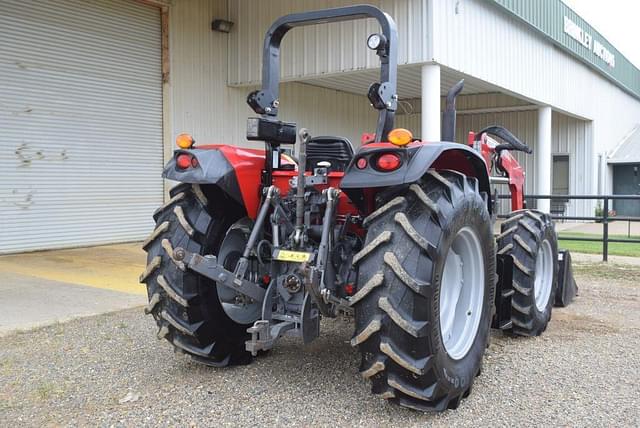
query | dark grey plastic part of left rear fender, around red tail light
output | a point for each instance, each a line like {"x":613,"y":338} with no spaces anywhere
{"x":213,"y":168}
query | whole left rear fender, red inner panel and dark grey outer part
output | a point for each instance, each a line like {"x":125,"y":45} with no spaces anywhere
{"x":235,"y":171}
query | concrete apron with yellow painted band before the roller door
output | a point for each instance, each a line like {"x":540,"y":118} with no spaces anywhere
{"x":45,"y":287}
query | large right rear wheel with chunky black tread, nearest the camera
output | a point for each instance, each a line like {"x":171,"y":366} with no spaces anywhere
{"x":402,"y":268}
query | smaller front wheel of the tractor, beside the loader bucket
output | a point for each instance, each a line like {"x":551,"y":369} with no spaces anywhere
{"x":529,"y":237}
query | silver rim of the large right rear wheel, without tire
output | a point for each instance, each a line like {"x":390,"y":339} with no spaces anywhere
{"x":461,"y":293}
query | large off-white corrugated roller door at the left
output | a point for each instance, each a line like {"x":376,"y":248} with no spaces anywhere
{"x":80,"y":122}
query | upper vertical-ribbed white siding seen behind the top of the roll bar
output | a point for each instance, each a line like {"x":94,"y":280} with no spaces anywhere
{"x":319,"y":49}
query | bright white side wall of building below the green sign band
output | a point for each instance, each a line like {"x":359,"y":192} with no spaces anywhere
{"x":479,"y":39}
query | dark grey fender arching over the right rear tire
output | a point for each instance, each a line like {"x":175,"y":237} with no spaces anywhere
{"x":416,"y":161}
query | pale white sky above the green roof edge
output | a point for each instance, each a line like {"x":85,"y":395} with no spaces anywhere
{"x":616,"y":20}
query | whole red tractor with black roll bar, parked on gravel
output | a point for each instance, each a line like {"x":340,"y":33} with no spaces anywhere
{"x":257,"y":244}
